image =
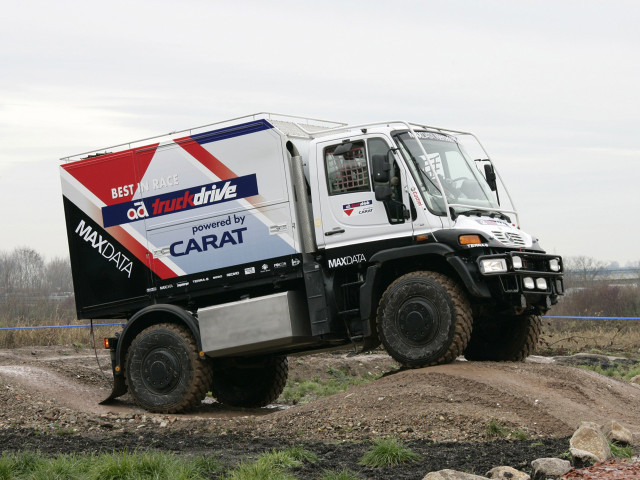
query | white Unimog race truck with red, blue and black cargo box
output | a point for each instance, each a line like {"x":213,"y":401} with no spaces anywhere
{"x":227,"y":247}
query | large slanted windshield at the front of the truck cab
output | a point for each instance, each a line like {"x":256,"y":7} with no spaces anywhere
{"x":459,"y":175}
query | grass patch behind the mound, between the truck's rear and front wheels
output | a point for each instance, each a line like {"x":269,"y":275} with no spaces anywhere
{"x":309,"y":390}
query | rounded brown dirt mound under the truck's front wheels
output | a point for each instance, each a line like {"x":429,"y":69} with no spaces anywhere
{"x":459,"y":400}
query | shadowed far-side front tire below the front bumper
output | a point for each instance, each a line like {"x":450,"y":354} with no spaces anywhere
{"x":506,"y":338}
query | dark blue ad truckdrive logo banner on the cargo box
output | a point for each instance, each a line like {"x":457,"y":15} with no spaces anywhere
{"x":180,"y":200}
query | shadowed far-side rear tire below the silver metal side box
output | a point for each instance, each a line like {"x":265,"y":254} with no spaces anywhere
{"x":249,"y":382}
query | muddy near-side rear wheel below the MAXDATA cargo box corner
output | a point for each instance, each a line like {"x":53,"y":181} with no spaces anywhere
{"x":163,"y":371}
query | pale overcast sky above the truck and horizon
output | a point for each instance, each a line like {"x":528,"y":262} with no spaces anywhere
{"x":550,"y":87}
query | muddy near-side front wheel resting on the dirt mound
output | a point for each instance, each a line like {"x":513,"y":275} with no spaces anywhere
{"x":424,"y":318}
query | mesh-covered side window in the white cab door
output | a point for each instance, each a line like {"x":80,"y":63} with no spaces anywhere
{"x":348,"y":172}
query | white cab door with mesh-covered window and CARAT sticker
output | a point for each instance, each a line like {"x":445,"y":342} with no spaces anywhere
{"x":350,"y":214}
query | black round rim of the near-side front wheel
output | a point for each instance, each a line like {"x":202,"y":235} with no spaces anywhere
{"x":418,"y":321}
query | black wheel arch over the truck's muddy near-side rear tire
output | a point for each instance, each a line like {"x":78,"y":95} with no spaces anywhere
{"x":153,"y":315}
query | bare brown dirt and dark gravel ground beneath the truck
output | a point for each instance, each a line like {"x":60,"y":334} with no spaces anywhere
{"x":49,"y":401}
